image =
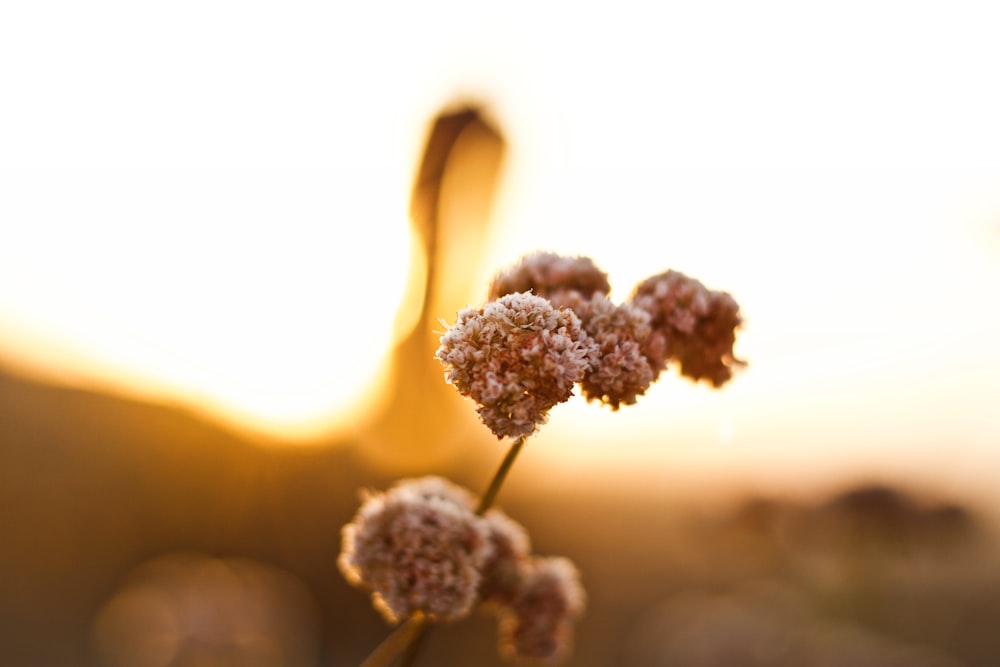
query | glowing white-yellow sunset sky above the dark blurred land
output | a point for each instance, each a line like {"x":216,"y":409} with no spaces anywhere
{"x":206,"y":203}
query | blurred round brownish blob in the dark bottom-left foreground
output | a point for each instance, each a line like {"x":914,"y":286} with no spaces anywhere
{"x":186,"y":608}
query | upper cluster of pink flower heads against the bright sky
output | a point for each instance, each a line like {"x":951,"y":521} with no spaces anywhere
{"x":549,"y":324}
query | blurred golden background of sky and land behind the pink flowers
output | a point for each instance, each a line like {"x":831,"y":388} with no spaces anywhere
{"x":222,"y":269}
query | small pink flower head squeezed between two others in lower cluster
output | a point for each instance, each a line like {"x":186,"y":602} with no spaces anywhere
{"x":508,"y":562}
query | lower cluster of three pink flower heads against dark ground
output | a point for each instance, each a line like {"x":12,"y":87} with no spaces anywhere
{"x":420,"y":547}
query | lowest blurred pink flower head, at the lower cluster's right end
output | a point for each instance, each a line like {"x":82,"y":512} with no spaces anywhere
{"x":538,"y":626}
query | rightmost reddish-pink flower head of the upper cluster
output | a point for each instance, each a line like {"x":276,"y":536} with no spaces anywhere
{"x":691,"y":324}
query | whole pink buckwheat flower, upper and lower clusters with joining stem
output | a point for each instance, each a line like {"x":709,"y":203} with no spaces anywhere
{"x":421,"y":548}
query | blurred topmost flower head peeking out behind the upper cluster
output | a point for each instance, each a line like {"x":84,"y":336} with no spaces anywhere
{"x":544,"y":273}
